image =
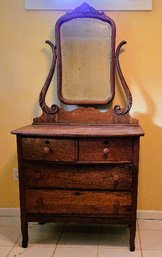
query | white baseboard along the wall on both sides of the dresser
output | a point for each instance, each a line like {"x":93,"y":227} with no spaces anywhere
{"x":143,"y":215}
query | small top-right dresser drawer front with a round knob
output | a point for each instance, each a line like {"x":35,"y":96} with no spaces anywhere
{"x":106,"y":150}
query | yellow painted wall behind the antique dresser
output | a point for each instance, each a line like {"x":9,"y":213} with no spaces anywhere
{"x":24,"y":63}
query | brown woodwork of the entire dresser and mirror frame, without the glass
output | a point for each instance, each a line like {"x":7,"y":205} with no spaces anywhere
{"x":81,"y":165}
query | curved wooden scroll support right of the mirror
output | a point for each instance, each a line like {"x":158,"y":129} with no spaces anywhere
{"x":117,"y":109}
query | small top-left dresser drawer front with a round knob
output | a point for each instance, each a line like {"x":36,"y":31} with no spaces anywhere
{"x":63,"y":150}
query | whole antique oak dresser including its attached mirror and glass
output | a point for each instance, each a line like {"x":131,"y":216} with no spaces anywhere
{"x":81,"y":165}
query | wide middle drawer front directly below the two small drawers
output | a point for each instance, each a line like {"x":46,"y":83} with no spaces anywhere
{"x":117,"y":177}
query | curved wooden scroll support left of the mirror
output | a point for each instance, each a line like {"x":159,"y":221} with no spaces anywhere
{"x":54,"y":108}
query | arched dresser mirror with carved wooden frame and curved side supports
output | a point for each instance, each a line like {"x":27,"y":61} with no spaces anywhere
{"x":85,"y":58}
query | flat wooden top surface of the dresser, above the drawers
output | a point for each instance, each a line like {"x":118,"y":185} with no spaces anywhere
{"x":79,"y":130}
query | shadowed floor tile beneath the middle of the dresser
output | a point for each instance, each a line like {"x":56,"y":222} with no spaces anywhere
{"x":80,"y":236}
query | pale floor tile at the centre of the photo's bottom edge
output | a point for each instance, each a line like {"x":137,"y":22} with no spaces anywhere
{"x":76,"y":252}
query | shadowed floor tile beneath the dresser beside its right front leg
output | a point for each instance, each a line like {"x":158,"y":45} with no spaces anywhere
{"x":117,"y":236}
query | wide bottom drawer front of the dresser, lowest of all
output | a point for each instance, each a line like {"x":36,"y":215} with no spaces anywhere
{"x":68,"y":202}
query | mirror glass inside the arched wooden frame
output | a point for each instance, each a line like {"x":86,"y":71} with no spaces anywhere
{"x":86,"y":61}
